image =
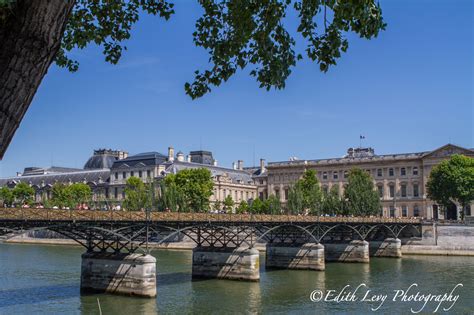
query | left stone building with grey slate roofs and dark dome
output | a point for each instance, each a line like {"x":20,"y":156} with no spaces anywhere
{"x":107,"y":171}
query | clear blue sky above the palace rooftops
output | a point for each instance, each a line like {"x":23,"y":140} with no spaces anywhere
{"x":408,"y":90}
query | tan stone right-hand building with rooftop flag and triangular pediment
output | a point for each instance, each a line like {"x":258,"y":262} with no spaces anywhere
{"x":400,"y":178}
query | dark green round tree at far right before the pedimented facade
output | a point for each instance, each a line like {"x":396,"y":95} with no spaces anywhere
{"x":452,"y":180}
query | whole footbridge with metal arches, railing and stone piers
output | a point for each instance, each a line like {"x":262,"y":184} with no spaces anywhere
{"x":117,"y":255}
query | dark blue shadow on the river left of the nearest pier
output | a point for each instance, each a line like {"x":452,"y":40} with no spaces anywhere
{"x":37,"y":294}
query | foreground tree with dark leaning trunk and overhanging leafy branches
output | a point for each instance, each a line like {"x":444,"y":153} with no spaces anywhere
{"x":236,"y":34}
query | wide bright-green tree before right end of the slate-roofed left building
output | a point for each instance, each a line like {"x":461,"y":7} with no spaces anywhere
{"x":196,"y":186}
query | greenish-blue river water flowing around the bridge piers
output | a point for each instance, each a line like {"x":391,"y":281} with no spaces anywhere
{"x":39,"y":279}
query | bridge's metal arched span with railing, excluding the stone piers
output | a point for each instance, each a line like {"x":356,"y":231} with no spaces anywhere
{"x":103,"y":231}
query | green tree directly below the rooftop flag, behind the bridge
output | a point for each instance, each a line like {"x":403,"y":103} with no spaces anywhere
{"x":361,"y":198}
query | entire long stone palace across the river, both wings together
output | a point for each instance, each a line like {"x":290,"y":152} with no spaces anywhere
{"x":400,"y":179}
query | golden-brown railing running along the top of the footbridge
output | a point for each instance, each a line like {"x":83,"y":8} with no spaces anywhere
{"x":98,"y":215}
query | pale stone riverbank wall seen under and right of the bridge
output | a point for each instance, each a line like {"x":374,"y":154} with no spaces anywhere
{"x":437,"y":250}
